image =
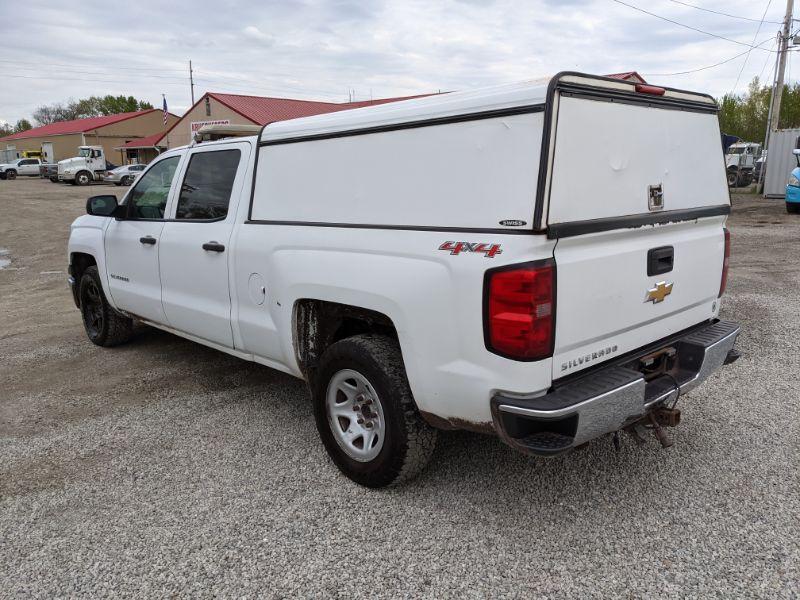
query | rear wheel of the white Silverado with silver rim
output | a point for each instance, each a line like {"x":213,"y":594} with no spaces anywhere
{"x":365,"y":413}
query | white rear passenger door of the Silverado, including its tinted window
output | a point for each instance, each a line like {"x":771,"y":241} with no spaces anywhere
{"x":194,"y":253}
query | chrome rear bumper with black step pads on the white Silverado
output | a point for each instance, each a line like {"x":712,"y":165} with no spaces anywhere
{"x":610,"y":398}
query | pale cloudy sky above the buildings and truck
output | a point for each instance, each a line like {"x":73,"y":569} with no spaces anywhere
{"x":329,"y":49}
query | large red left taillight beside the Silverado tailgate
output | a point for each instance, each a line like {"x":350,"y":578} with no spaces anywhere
{"x":519,"y":310}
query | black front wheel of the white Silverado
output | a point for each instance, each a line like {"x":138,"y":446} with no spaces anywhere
{"x":104,"y":326}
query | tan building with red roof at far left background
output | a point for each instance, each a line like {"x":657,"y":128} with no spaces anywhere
{"x":61,"y":140}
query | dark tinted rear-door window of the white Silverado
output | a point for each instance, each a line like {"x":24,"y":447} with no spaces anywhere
{"x":206,"y":189}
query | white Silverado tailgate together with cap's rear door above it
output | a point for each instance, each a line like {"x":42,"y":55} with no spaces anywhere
{"x":638,"y":198}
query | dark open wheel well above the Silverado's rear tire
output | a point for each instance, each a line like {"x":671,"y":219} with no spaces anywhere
{"x":318,"y":324}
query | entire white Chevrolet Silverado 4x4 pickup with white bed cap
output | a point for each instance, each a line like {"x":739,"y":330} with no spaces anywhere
{"x":449,"y":262}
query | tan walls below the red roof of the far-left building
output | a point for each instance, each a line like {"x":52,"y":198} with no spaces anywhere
{"x":109,"y":137}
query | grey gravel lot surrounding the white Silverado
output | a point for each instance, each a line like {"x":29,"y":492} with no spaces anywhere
{"x":166,"y":468}
